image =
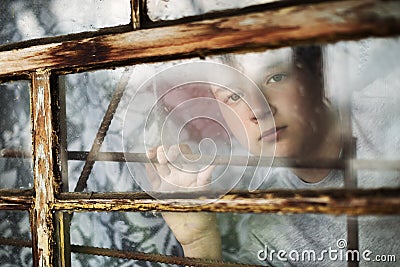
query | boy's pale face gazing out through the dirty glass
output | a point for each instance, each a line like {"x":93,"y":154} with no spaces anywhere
{"x":293,"y":124}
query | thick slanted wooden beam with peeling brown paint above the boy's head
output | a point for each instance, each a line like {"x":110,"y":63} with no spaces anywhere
{"x":308,"y":23}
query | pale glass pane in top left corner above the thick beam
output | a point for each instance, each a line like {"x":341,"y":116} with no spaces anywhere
{"x":23,"y":20}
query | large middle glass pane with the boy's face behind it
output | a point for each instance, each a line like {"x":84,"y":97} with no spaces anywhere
{"x":235,"y":113}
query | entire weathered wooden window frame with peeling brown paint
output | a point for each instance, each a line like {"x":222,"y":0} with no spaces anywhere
{"x":264,"y":26}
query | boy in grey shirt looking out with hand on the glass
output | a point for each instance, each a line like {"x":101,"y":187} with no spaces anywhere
{"x":300,"y":122}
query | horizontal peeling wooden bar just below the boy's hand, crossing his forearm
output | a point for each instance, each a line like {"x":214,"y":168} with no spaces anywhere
{"x":333,"y":201}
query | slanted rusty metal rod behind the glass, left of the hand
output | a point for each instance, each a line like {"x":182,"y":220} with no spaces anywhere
{"x":102,"y":132}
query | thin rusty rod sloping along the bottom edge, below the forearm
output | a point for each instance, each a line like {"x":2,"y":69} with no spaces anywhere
{"x":135,"y":255}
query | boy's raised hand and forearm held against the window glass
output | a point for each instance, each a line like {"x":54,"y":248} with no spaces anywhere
{"x":196,"y":231}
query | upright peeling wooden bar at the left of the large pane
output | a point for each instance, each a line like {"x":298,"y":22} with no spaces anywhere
{"x":44,"y":182}
